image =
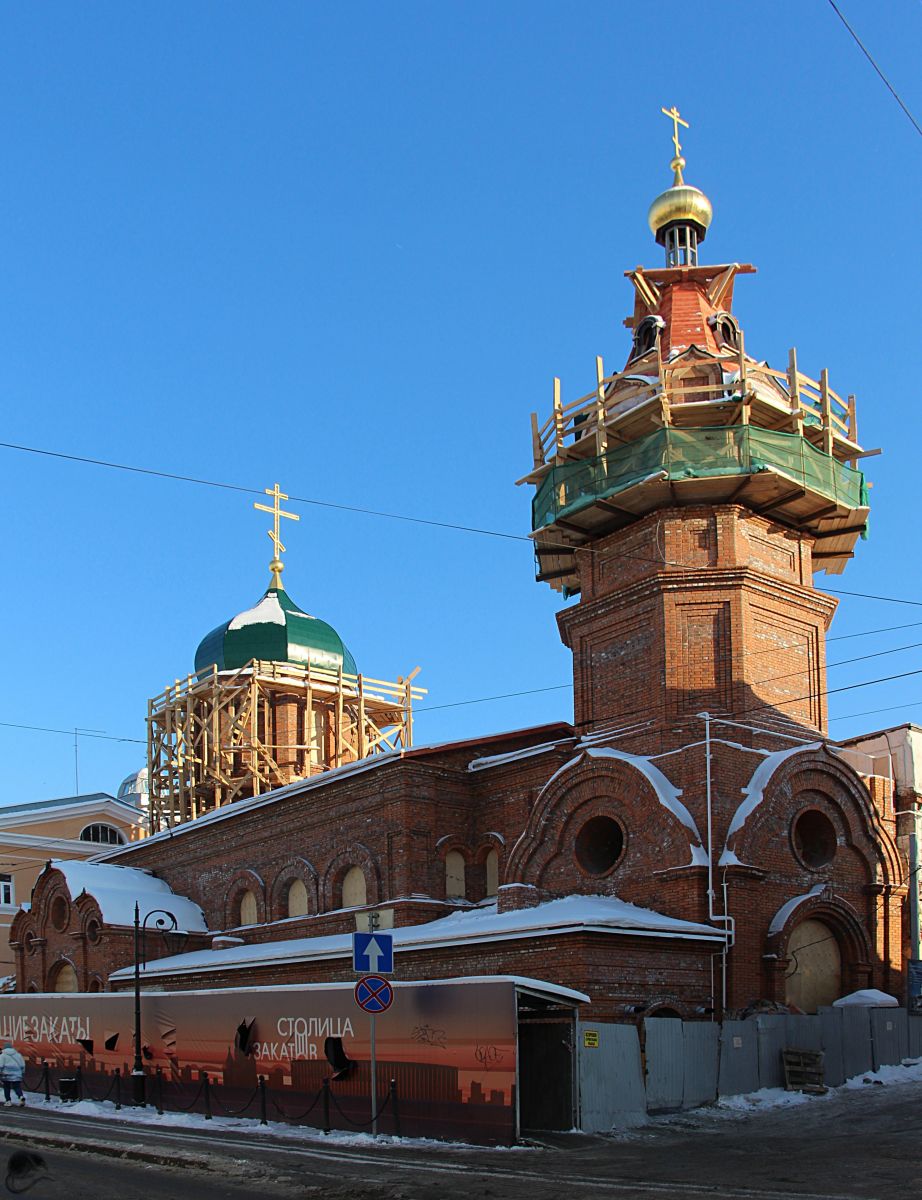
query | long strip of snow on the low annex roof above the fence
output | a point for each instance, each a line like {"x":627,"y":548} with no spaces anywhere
{"x":570,"y":915}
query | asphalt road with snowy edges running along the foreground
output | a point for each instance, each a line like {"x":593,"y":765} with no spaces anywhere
{"x":863,"y":1145}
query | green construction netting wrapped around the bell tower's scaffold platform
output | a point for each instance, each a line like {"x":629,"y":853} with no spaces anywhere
{"x":709,"y":453}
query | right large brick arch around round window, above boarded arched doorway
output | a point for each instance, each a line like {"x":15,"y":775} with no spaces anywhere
{"x":829,"y":785}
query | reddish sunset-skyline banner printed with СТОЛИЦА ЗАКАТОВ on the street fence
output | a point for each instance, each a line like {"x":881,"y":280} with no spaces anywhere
{"x":446,"y":1054}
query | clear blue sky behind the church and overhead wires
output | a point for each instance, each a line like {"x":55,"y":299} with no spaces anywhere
{"x":349,"y":248}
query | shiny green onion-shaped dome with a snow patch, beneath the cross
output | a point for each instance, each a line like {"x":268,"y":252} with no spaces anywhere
{"x":274,"y":631}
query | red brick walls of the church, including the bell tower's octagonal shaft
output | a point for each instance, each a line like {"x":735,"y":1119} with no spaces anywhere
{"x":695,"y":784}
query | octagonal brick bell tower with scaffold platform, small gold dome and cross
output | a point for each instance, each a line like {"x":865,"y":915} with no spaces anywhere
{"x":688,"y":501}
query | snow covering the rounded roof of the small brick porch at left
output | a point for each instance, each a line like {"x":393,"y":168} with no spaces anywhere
{"x":118,"y":889}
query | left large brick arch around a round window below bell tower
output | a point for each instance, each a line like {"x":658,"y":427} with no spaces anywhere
{"x":612,"y":787}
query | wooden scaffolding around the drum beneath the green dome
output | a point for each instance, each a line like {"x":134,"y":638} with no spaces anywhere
{"x":231,"y":735}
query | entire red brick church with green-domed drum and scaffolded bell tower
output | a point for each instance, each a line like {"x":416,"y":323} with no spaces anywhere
{"x":692,"y":844}
